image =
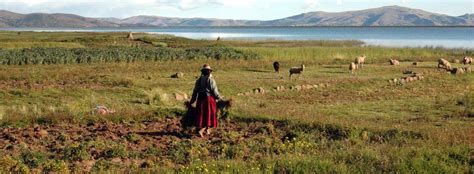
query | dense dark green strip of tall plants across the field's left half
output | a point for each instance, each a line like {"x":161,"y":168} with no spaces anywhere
{"x":116,"y":54}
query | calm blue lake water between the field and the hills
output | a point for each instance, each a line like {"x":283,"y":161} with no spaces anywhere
{"x":448,"y":37}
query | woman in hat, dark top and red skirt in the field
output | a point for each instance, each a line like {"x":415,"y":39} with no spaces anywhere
{"x":206,"y":93}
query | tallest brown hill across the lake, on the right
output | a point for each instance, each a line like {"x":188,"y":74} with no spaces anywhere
{"x":384,"y":16}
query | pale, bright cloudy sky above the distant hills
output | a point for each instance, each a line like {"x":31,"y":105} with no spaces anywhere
{"x":229,"y":9}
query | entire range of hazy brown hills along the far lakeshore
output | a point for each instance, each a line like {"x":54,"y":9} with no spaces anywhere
{"x":383,"y":16}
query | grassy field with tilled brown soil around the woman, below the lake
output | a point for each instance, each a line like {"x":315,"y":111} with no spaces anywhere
{"x":357,"y":123}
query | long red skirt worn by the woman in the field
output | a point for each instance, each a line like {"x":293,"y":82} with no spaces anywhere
{"x":207,"y":111}
